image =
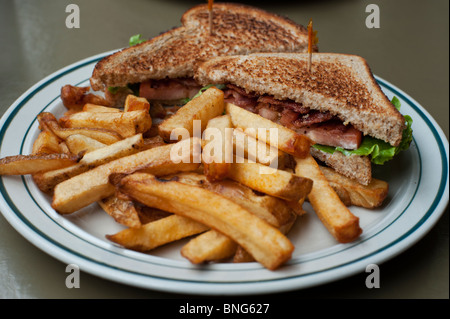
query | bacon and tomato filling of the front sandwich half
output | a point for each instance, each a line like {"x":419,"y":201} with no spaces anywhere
{"x":321,"y":127}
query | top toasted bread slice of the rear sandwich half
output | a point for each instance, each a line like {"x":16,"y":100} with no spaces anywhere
{"x":237,"y":29}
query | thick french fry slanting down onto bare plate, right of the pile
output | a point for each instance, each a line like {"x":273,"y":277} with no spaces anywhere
{"x":336,"y":217}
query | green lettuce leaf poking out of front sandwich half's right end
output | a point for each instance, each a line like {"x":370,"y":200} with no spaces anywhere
{"x":378,"y":150}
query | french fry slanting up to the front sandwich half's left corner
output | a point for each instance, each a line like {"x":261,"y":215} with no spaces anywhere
{"x":203,"y":108}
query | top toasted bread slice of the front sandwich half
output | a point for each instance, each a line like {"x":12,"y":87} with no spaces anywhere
{"x":341,"y":84}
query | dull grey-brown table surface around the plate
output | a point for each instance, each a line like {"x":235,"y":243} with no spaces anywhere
{"x":410,"y":50}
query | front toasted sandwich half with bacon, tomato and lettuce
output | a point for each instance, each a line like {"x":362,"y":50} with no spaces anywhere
{"x":338,"y":104}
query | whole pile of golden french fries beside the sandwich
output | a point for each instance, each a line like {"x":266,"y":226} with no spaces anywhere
{"x":234,"y":206}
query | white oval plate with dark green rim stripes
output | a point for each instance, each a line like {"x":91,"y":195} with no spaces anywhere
{"x":418,"y":195}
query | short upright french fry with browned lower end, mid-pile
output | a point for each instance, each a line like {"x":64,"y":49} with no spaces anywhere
{"x":218,"y":148}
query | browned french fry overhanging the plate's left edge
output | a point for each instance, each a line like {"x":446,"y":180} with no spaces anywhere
{"x":35,"y":163}
